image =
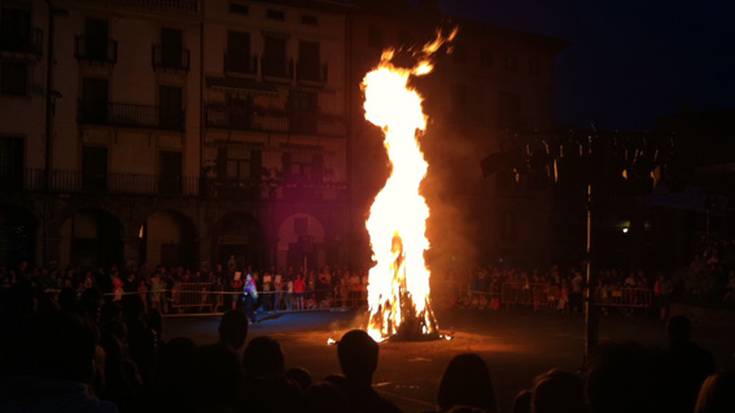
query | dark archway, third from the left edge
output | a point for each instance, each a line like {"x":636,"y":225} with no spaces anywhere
{"x":170,"y":239}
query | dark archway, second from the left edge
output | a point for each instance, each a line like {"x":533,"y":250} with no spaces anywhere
{"x":92,"y":238}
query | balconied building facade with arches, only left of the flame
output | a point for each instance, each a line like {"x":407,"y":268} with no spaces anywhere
{"x":181,"y":133}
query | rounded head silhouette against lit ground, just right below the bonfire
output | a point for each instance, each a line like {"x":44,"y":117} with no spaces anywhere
{"x":466,"y":382}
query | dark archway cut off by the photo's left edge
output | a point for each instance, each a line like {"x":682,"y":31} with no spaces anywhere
{"x":17,"y":236}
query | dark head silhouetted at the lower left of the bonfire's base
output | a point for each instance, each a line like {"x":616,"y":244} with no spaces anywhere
{"x":358,"y":356}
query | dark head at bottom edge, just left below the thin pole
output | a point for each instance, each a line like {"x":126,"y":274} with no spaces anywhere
{"x":558,"y":391}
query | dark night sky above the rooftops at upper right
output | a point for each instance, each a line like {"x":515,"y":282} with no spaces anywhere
{"x":630,"y":61}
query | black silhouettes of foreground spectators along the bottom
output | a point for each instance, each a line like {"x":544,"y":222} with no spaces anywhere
{"x":91,"y":353}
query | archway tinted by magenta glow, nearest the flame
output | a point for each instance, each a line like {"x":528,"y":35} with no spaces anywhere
{"x":301,"y":243}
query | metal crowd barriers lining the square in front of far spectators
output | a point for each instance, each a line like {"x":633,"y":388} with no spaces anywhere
{"x":209,"y":298}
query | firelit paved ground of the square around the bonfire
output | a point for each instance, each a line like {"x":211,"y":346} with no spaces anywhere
{"x":517,"y":346}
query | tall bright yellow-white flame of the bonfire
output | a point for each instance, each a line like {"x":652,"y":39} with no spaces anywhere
{"x":398,"y":288}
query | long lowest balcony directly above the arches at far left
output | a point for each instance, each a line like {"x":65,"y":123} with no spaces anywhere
{"x":77,"y":182}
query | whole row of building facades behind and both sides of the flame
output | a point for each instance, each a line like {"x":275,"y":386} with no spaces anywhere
{"x":187,"y":131}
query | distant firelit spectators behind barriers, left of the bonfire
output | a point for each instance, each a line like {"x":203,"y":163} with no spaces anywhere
{"x":219,"y":289}
